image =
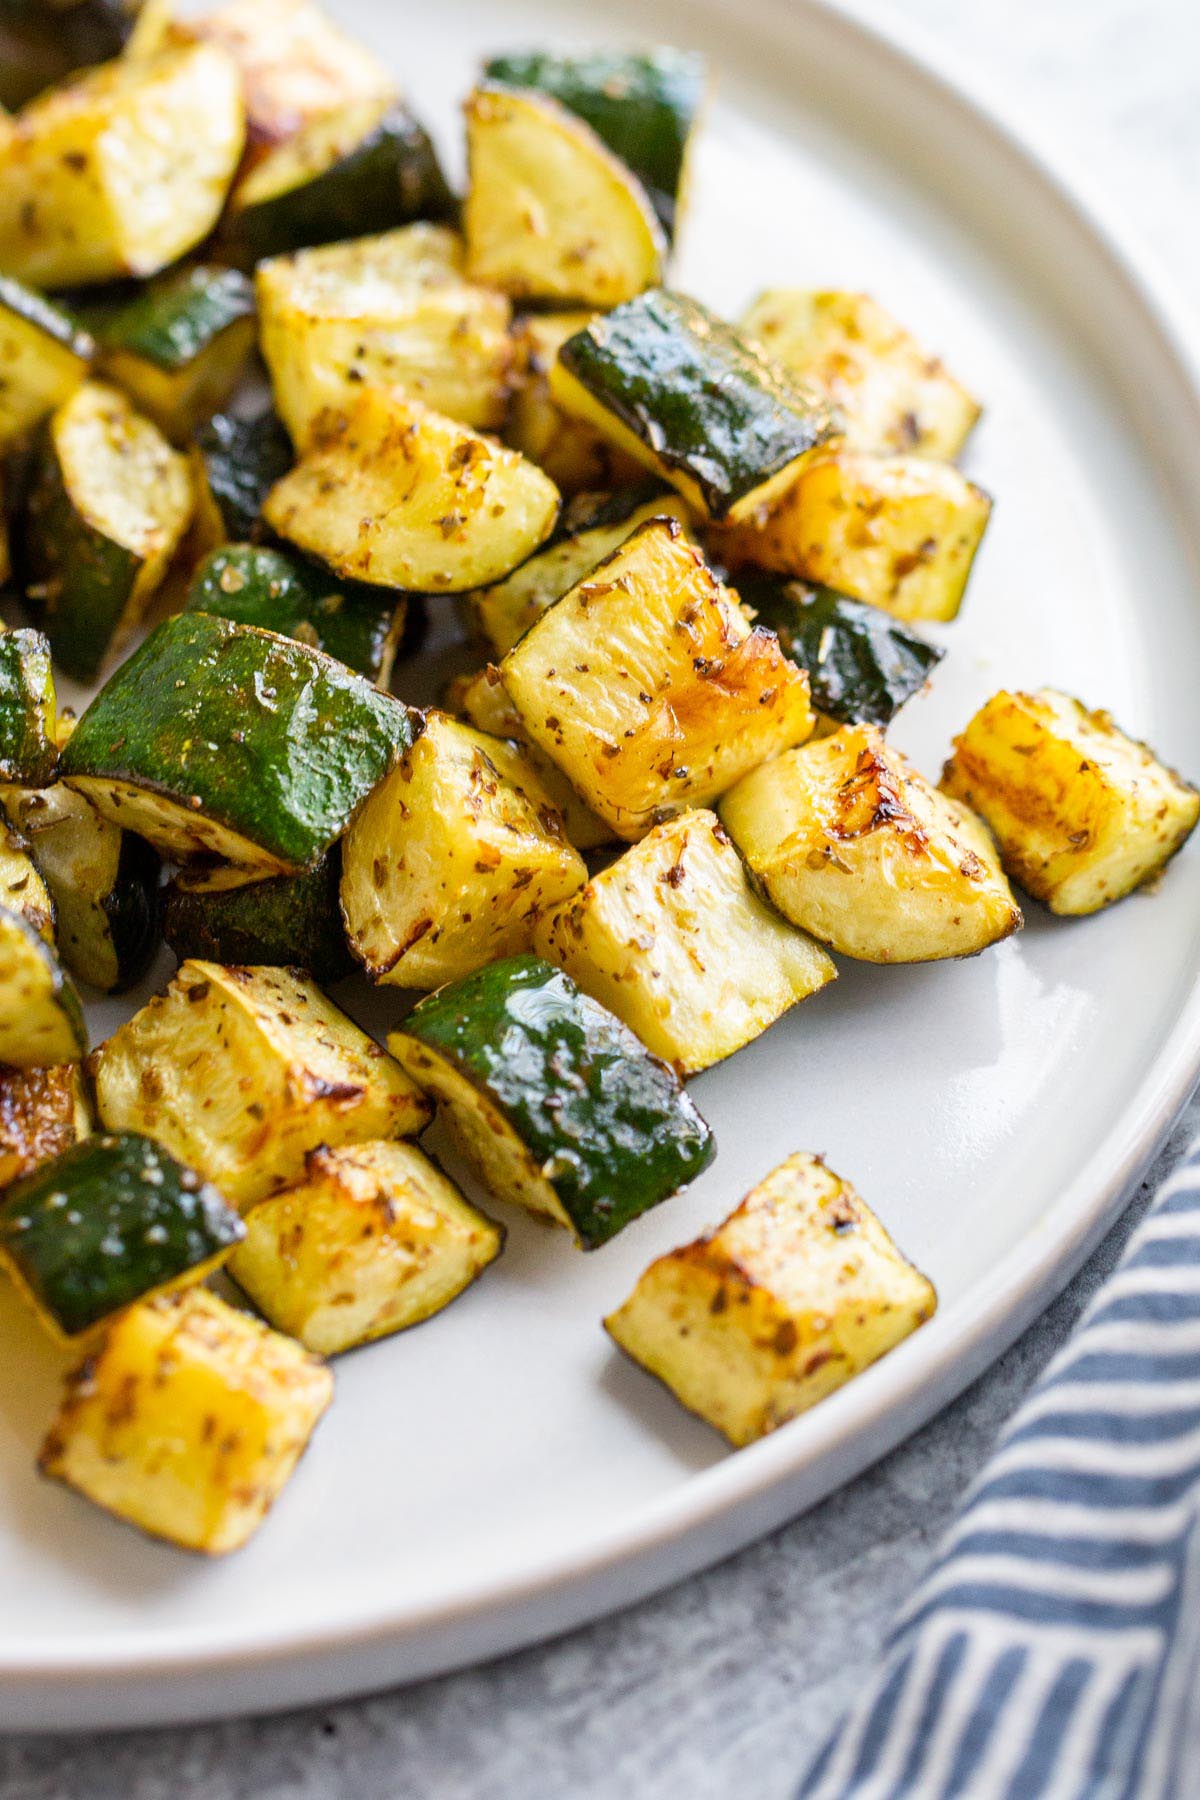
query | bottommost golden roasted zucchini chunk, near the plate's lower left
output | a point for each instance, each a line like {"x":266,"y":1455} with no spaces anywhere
{"x":188,"y":1421}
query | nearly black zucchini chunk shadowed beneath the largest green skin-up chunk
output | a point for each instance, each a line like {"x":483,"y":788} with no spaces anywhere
{"x":287,"y":921}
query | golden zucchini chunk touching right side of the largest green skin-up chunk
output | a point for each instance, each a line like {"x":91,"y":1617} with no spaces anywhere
{"x":451,"y":859}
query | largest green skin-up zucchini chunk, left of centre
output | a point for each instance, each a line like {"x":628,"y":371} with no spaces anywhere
{"x":222,"y":741}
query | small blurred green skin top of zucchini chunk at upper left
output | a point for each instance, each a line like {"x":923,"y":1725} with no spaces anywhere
{"x":172,"y":321}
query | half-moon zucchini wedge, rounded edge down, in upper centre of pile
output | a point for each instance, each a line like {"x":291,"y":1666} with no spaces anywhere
{"x":404,"y":498}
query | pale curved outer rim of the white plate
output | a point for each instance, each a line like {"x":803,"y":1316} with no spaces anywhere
{"x":674,"y":1536}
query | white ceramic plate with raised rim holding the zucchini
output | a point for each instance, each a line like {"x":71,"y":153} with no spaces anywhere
{"x":501,"y":1473}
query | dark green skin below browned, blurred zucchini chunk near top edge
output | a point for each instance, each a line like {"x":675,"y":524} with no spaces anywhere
{"x":393,"y":177}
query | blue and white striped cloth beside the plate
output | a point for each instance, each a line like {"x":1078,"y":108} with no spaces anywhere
{"x":1055,"y":1646}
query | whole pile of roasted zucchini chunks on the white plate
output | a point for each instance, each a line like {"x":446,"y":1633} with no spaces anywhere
{"x":271,"y":399}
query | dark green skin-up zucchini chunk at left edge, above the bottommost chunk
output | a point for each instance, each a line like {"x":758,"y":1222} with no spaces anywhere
{"x":107,"y":1223}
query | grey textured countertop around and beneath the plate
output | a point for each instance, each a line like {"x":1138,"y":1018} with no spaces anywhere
{"x":730,"y":1682}
